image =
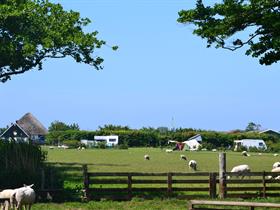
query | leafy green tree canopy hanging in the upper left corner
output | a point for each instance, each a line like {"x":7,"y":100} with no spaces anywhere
{"x":34,"y":30}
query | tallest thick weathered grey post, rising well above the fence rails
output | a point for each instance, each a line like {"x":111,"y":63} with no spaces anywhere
{"x":222,"y":176}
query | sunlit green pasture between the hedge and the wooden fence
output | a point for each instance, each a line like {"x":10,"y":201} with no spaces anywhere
{"x":132,"y":160}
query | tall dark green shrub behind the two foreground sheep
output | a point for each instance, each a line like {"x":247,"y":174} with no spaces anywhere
{"x":20,"y":164}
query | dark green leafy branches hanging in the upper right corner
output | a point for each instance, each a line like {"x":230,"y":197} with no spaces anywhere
{"x":221,"y":24}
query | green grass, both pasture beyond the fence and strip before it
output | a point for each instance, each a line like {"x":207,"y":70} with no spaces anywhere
{"x":132,"y":160}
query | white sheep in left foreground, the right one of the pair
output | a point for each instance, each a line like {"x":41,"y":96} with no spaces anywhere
{"x":24,"y":196}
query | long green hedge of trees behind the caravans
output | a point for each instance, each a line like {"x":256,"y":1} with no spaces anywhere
{"x":149,"y":137}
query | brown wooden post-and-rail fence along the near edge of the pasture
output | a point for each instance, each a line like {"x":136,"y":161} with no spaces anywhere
{"x":119,"y":185}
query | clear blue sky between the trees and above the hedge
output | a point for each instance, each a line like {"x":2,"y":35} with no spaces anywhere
{"x":161,"y":71}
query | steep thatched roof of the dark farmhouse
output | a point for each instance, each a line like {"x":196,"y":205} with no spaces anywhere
{"x":31,"y":125}
